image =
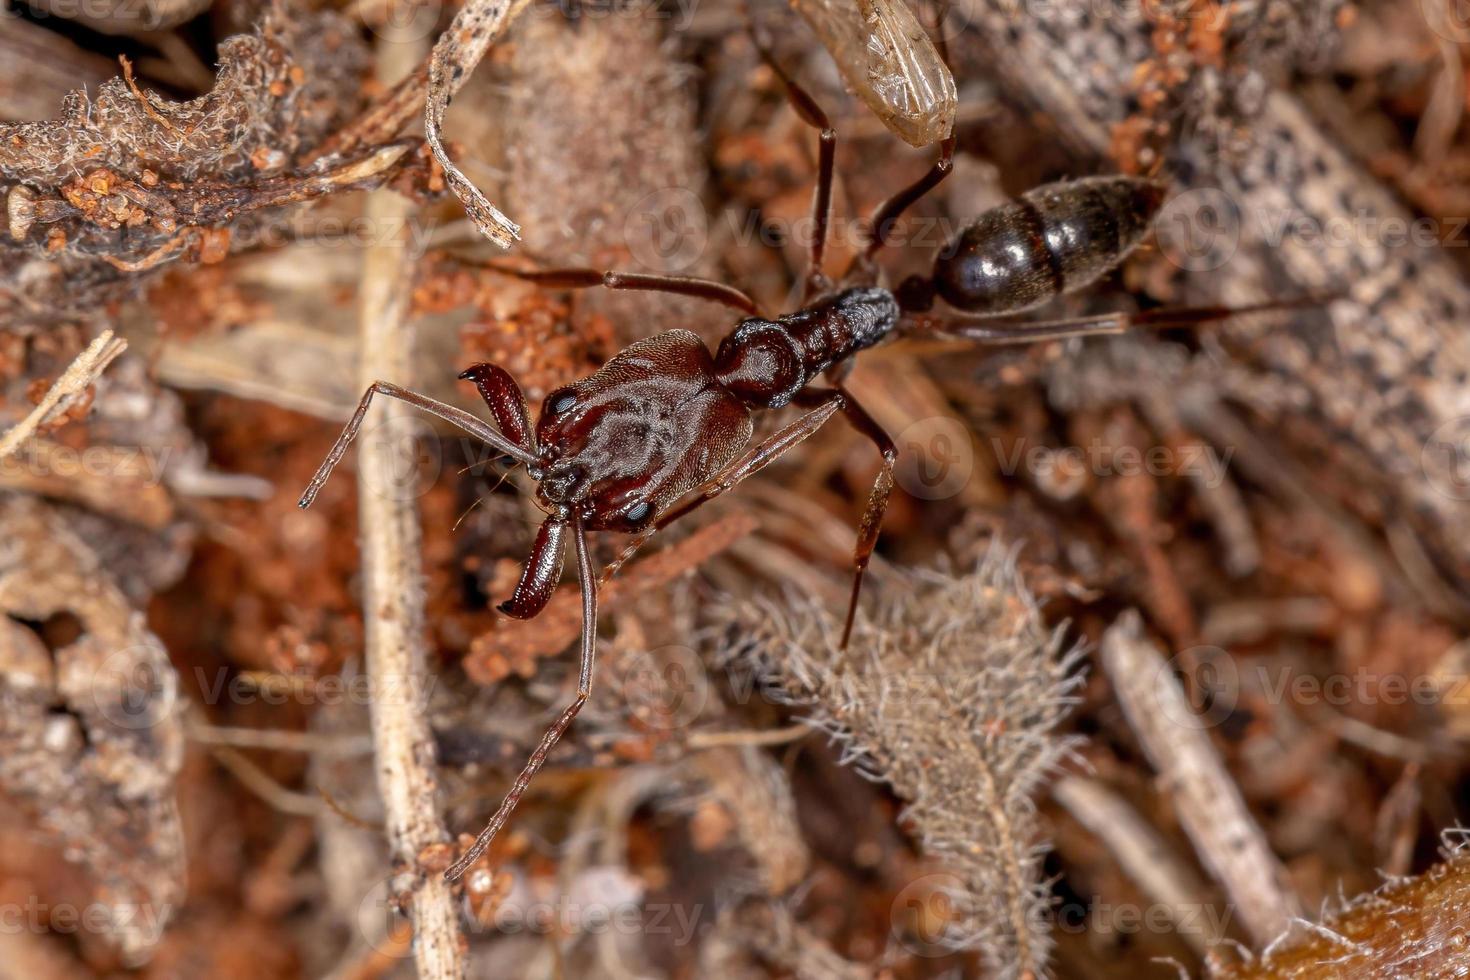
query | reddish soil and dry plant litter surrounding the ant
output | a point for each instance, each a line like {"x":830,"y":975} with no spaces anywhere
{"x":1164,"y":663}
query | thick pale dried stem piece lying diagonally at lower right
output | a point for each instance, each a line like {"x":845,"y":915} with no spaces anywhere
{"x":1211,"y":807}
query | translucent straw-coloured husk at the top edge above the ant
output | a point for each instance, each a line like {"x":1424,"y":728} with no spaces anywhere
{"x":892,"y":64}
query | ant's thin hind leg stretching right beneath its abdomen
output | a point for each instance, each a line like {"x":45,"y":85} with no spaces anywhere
{"x":1012,"y":331}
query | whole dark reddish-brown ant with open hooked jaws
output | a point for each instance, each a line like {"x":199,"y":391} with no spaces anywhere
{"x":664,"y":427}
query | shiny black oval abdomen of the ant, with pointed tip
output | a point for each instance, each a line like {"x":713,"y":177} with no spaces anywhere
{"x":1056,"y":239}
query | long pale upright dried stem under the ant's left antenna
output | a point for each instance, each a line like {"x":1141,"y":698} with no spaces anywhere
{"x":393,"y":596}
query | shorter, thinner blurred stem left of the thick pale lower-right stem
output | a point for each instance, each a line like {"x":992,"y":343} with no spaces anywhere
{"x":1141,"y":853}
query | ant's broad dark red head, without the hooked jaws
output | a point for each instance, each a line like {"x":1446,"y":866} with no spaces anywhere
{"x":623,"y":446}
